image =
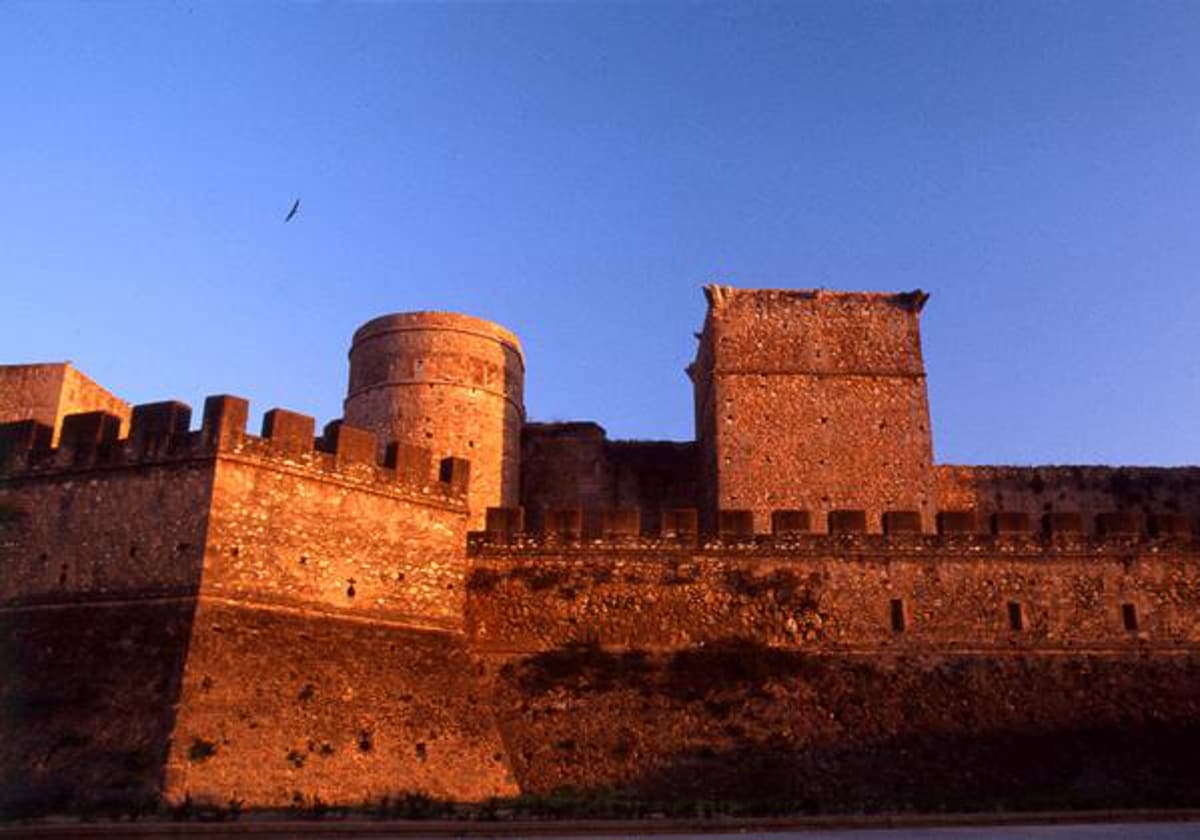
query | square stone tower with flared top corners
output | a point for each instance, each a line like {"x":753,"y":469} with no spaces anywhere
{"x":813,"y":400}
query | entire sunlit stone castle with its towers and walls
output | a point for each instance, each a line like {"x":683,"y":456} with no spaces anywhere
{"x":436,"y":596}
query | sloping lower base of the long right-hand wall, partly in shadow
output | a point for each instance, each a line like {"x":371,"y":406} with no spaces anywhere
{"x":807,"y":734}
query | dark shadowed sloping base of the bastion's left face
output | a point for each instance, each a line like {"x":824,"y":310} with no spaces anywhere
{"x":88,"y":703}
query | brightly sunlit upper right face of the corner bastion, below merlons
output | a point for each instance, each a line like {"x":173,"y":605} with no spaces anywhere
{"x":301,"y":537}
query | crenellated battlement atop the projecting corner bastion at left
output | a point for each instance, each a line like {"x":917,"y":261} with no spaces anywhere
{"x":160,"y":434}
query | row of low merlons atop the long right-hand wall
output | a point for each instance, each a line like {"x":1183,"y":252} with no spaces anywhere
{"x":845,"y":532}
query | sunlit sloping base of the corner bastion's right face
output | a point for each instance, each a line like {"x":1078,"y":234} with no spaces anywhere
{"x":287,"y":707}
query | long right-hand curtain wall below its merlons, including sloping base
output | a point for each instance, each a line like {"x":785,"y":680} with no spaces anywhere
{"x":778,"y":676}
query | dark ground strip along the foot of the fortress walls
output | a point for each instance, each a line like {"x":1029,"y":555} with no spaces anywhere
{"x":1100,"y":826}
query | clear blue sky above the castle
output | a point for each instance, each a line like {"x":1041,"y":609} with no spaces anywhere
{"x":578,"y":171}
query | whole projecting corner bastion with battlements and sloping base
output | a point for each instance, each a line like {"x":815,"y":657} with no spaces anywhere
{"x":235,"y":608}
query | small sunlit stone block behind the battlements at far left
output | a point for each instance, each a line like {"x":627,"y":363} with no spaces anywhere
{"x":49,"y":393}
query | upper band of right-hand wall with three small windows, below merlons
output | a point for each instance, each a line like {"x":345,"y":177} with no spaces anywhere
{"x":829,"y":593}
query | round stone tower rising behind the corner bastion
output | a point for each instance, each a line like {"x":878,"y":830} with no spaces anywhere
{"x":451,"y":383}
